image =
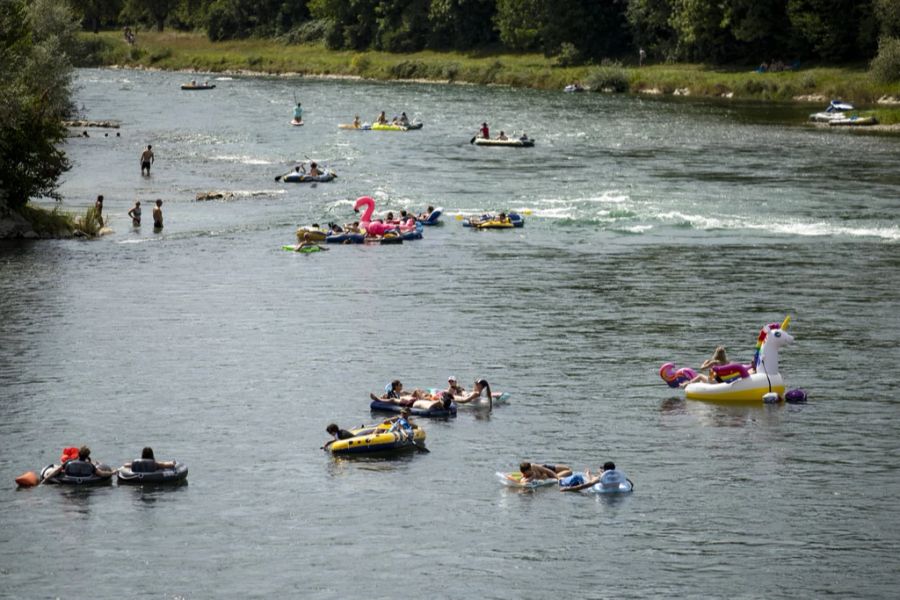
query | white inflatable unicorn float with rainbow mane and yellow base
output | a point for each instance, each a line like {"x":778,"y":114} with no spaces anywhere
{"x":760,"y":381}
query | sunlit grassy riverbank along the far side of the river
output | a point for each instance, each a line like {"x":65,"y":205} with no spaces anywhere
{"x":189,"y":51}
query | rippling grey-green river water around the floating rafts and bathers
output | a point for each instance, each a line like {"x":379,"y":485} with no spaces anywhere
{"x":656,"y":230}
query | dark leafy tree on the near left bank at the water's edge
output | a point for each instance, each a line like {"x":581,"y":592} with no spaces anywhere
{"x":35,"y":94}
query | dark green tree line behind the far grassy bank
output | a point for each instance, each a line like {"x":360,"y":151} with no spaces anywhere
{"x":713,"y":31}
